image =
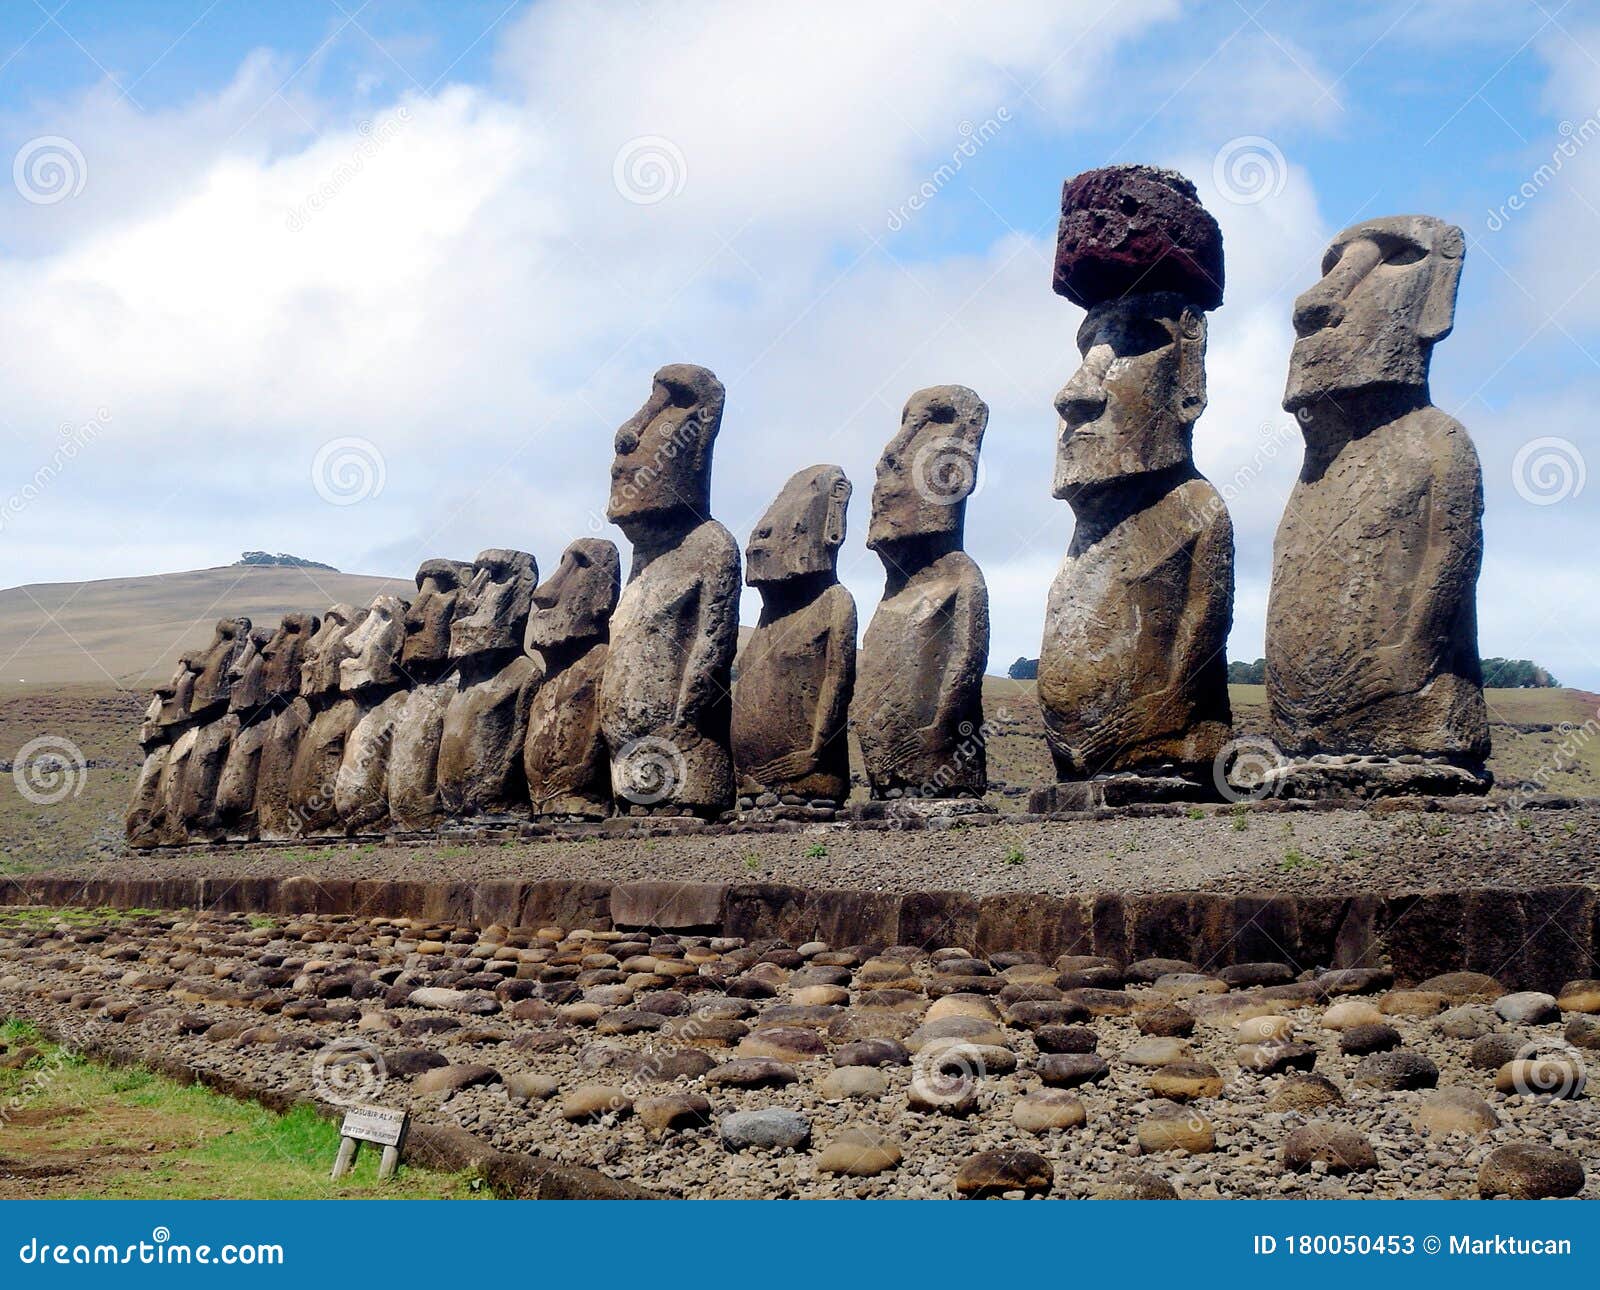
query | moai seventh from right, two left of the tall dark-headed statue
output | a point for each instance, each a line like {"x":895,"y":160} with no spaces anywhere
{"x":481,"y":745}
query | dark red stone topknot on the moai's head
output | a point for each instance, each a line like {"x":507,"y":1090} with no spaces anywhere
{"x":1132,"y":230}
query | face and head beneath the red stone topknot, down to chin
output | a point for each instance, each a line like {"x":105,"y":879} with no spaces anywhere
{"x":1135,"y":399}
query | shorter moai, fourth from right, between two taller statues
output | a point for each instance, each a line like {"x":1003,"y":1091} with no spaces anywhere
{"x":796,"y":675}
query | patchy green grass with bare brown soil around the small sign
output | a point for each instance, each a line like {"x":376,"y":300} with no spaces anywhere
{"x":126,"y":1132}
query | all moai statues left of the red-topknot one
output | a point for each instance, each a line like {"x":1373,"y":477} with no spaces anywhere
{"x":494,"y":697}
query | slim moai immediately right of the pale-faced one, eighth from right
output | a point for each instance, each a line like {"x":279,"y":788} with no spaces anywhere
{"x":425,"y":660}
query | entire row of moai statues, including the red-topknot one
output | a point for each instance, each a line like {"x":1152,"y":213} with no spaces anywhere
{"x":497,"y":697}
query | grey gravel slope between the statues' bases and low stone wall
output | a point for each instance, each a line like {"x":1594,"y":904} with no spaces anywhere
{"x":1215,"y":851}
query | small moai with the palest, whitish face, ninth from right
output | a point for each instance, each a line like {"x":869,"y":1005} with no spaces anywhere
{"x":372,"y":679}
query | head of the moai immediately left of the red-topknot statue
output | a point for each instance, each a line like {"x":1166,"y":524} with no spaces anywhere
{"x":930,"y":468}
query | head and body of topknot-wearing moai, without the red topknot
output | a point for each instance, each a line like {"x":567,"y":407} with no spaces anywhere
{"x":1132,"y":673}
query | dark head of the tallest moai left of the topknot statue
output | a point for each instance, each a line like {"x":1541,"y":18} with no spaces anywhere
{"x":663,"y":452}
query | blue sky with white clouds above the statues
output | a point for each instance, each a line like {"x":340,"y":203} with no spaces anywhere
{"x":375,"y":282}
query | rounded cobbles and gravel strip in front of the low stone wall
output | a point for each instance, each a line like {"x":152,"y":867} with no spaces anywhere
{"x":700,"y":1067}
